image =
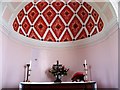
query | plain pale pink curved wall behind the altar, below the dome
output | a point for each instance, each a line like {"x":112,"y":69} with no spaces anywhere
{"x":102,"y":57}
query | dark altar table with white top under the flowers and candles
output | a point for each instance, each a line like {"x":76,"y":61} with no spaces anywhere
{"x":90,"y":85}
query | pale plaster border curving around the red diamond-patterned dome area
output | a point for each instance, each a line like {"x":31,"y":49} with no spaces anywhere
{"x":11,"y":9}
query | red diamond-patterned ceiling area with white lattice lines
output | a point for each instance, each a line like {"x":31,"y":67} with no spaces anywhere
{"x":58,"y":21}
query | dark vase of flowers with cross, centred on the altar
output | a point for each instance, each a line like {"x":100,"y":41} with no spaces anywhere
{"x":58,"y":70}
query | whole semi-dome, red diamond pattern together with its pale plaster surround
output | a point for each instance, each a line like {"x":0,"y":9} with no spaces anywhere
{"x":58,"y":23}
